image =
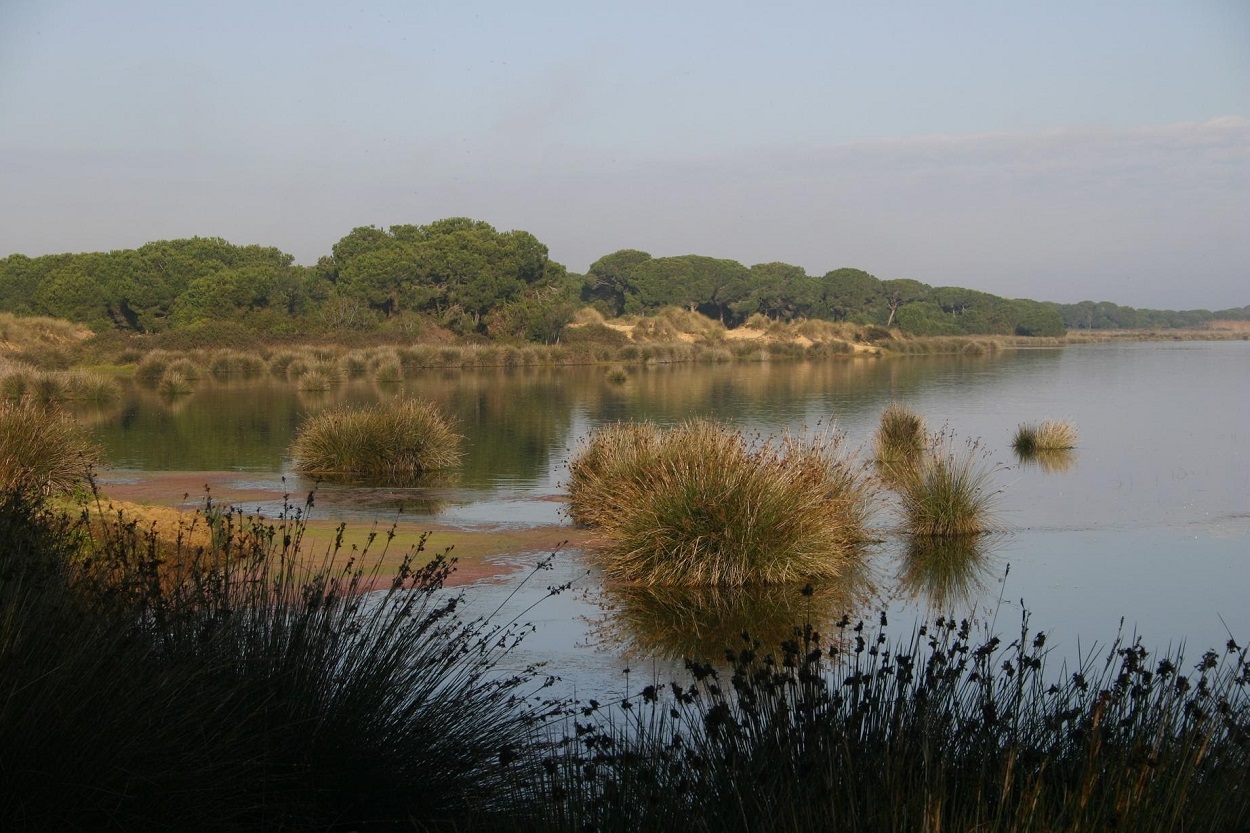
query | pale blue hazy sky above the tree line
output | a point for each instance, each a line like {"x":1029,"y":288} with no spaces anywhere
{"x":1059,"y":149}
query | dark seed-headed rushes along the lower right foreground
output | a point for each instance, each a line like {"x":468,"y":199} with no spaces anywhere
{"x":944,"y":731}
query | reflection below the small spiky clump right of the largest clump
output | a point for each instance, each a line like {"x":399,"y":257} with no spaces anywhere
{"x":951,"y":572}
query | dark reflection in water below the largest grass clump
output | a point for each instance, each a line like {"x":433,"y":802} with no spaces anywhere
{"x":703,"y":622}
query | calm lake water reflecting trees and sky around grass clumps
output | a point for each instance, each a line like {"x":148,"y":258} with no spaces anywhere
{"x":1151,"y":521}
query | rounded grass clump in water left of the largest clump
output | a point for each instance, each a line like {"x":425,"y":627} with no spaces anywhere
{"x":391,"y":443}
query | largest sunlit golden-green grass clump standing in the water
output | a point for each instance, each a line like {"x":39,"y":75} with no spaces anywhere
{"x":697,"y":505}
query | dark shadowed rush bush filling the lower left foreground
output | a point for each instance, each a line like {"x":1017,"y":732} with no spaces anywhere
{"x":244,"y":689}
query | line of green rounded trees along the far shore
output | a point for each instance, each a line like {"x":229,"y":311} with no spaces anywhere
{"x":476,"y":281}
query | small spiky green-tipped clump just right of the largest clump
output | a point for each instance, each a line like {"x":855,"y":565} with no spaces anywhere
{"x":949,"y":491}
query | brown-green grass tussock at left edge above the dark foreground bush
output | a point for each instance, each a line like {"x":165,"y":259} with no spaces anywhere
{"x":43,"y":451}
